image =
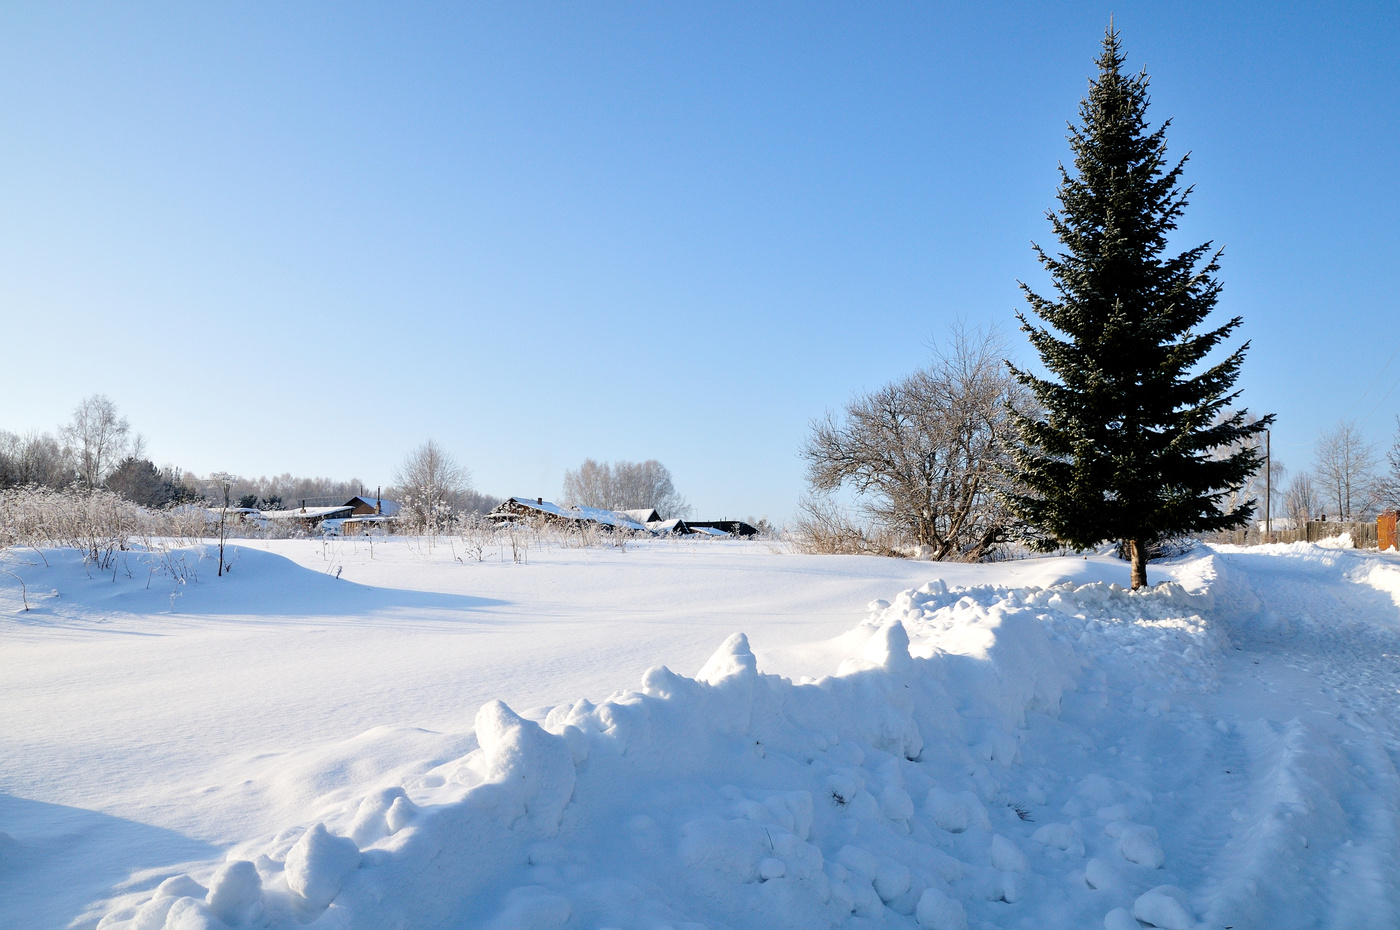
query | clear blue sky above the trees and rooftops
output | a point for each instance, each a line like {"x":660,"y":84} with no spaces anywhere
{"x":307,"y":237}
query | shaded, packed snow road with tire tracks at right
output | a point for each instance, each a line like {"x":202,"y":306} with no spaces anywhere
{"x":1318,"y":653}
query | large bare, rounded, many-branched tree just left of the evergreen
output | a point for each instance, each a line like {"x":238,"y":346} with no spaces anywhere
{"x":927,"y":456}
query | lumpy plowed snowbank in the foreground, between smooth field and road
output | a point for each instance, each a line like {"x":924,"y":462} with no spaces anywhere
{"x":897,"y":789}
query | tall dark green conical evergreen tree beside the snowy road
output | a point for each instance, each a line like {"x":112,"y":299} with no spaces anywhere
{"x":1129,"y":442}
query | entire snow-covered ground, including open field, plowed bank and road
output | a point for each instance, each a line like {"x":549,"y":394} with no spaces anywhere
{"x":691,"y":736}
